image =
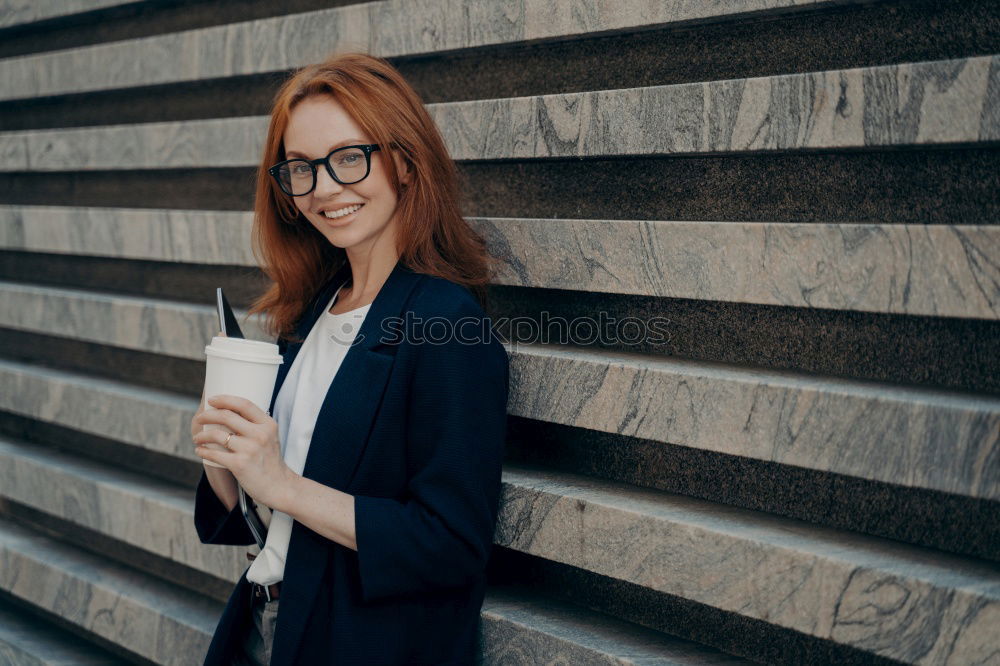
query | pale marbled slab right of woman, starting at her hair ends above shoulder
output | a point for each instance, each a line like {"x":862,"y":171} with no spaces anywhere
{"x":937,"y":270}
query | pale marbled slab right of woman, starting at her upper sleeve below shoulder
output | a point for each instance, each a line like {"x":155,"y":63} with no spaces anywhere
{"x":908,"y":437}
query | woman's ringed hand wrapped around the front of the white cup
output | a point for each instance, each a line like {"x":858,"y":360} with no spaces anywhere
{"x":254,"y":455}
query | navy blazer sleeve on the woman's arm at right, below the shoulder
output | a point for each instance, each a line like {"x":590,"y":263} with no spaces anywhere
{"x":442,"y":535}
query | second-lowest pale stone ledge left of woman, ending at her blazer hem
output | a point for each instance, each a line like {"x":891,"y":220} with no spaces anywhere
{"x":150,"y":618}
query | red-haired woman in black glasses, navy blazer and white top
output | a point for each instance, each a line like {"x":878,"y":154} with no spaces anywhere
{"x":382,"y":460}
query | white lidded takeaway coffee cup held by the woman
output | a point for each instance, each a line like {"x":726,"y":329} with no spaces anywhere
{"x":244,"y":368}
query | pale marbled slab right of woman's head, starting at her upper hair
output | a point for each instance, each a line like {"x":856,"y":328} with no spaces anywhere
{"x":909,"y":104}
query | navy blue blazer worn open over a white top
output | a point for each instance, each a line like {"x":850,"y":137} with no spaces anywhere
{"x":414,"y":430}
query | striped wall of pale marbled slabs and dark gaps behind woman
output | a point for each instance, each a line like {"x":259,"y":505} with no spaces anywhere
{"x":805,"y":468}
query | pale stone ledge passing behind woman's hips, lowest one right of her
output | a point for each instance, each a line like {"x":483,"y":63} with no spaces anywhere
{"x":158,"y":517}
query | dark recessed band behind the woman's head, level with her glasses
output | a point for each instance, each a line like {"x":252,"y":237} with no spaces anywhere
{"x":915,"y":186}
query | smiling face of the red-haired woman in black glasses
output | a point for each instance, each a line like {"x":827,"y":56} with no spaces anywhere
{"x":316,"y":126}
